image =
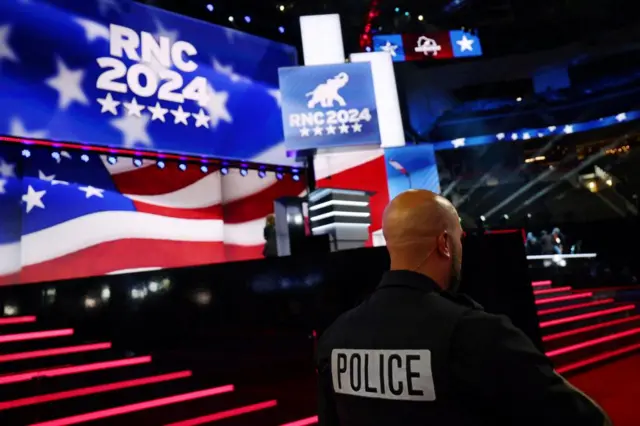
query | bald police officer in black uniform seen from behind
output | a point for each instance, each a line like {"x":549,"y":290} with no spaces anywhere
{"x":415,"y":353}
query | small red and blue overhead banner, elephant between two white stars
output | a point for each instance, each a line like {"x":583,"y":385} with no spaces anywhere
{"x":420,"y":47}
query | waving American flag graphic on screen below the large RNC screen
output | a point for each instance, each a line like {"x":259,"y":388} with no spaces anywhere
{"x":67,"y":214}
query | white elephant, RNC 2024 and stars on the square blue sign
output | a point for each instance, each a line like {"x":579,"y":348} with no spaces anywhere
{"x":331,"y":121}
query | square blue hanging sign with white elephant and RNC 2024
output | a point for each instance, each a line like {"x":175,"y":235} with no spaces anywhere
{"x":328,"y":106}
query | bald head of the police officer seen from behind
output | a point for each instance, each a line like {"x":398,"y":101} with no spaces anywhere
{"x":422,"y":231}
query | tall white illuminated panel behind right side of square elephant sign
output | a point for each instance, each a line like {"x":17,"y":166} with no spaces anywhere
{"x":386,"y":91}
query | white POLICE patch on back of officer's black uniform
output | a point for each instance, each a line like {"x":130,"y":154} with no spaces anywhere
{"x":402,"y":374}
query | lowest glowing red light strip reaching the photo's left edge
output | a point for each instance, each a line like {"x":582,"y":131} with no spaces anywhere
{"x":74,"y":393}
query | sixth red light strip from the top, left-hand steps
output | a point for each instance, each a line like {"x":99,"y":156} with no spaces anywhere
{"x":124,"y":409}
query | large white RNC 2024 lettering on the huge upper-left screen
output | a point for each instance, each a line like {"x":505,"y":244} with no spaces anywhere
{"x":151,"y":73}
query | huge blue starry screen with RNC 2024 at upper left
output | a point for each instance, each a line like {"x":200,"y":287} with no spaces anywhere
{"x":122,"y":74}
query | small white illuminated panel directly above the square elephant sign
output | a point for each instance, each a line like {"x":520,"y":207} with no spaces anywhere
{"x":322,"y":39}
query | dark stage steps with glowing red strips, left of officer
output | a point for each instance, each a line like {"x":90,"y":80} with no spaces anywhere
{"x":50,"y":377}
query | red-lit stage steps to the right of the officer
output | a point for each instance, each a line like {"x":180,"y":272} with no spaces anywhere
{"x":583,"y":328}
